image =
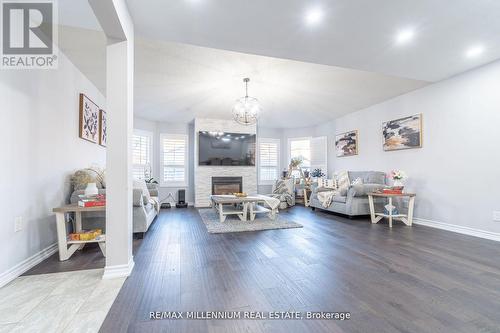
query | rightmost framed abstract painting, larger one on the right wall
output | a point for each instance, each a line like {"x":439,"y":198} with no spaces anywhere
{"x":403,"y":133}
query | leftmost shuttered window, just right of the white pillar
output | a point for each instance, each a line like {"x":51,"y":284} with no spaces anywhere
{"x":142,"y":147}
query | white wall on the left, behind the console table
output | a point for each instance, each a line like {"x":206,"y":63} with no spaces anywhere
{"x":41,"y":148}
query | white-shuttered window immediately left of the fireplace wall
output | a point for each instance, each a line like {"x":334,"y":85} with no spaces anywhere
{"x":174,"y":159}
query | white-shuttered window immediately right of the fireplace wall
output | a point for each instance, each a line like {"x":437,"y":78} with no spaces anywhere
{"x":269,"y":152}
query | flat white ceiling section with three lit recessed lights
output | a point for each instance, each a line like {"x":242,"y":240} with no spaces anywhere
{"x":355,"y":34}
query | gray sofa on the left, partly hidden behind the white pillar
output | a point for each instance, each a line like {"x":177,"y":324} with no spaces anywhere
{"x":143,"y":212}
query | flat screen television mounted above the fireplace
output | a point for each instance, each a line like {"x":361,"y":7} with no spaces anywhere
{"x":226,"y":149}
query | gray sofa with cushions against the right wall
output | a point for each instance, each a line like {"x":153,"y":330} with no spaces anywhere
{"x":354,"y":201}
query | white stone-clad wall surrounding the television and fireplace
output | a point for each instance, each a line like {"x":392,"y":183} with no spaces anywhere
{"x":203,"y":174}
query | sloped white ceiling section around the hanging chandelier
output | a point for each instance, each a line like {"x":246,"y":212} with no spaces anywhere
{"x":179,"y":82}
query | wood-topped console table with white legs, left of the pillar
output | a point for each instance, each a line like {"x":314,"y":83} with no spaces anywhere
{"x":66,"y":252}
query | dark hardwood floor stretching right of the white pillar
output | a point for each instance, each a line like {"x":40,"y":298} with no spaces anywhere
{"x":401,"y":280}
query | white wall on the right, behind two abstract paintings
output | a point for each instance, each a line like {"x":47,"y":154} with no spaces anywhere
{"x":456,"y":173}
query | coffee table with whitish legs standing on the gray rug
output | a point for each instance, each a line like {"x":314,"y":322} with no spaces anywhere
{"x":241,"y":206}
